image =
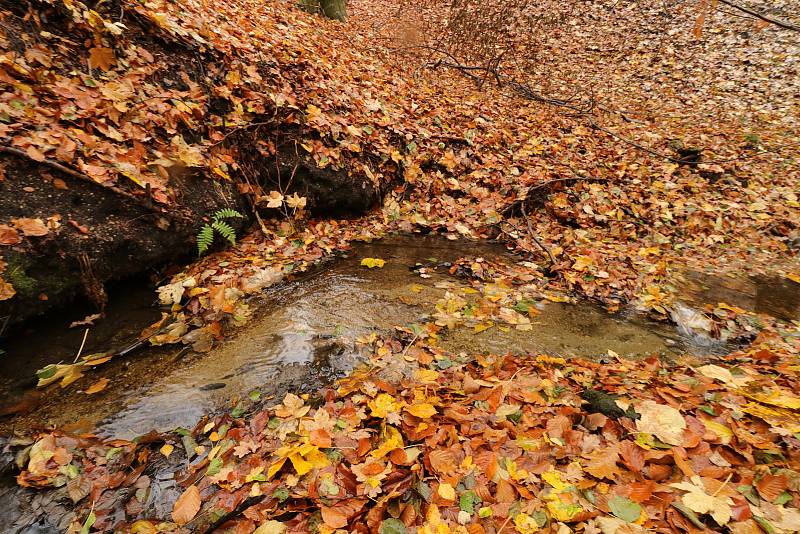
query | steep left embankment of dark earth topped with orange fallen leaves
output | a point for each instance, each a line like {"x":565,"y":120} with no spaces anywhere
{"x":118,"y":141}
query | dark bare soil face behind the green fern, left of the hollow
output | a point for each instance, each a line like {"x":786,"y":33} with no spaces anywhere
{"x":119,"y":236}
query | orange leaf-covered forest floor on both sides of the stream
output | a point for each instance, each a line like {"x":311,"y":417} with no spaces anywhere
{"x":632,"y":148}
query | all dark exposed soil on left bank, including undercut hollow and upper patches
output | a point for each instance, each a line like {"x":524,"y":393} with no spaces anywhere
{"x":118,"y":231}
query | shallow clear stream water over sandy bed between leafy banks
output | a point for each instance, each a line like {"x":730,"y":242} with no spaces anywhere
{"x":301,"y":336}
